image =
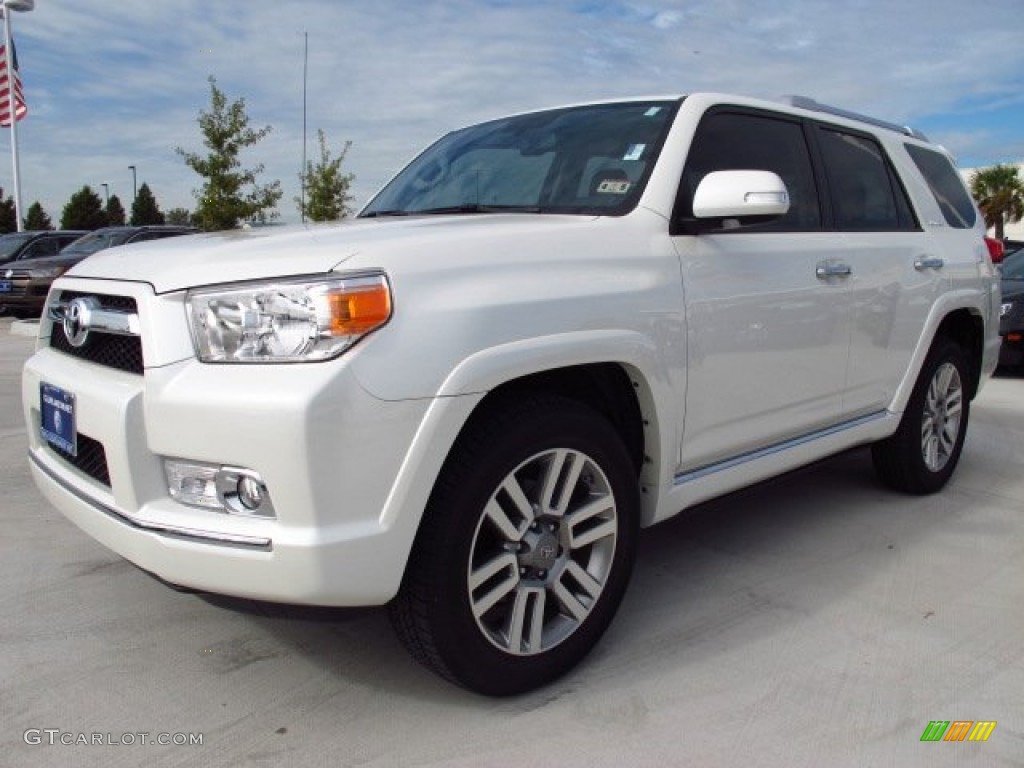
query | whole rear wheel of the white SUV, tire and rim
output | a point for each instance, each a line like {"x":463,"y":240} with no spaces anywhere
{"x":923,"y":453}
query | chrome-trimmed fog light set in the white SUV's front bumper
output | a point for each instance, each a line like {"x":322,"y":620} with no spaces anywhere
{"x":233,"y":490}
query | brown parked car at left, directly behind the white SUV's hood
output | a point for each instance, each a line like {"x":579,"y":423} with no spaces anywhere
{"x":24,"y":286}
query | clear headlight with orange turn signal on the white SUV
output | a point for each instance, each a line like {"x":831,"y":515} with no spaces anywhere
{"x":287,"y":321}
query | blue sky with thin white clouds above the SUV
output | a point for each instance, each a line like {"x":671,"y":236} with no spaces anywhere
{"x":115,"y":83}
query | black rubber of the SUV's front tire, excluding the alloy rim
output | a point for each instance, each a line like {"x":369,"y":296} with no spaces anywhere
{"x":471,"y":479}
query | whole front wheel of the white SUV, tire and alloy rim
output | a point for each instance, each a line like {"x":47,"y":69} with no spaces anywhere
{"x":526,"y":549}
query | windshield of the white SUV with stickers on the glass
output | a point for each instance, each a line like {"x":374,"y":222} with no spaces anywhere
{"x":589,"y":160}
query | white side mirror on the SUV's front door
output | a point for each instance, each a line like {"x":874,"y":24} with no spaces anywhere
{"x":731,"y":199}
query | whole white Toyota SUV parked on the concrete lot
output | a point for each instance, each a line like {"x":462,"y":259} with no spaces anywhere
{"x":547,"y":332}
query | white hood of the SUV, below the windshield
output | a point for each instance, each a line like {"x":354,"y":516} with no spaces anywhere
{"x":178,"y":264}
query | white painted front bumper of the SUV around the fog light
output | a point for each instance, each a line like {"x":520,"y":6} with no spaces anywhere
{"x":330,"y":453}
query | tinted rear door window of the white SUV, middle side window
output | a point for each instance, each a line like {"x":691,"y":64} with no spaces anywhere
{"x":865,"y":192}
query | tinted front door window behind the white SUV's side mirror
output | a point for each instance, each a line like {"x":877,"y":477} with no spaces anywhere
{"x":735,"y":142}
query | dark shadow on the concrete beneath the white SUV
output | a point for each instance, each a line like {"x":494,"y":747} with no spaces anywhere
{"x":722,"y":575}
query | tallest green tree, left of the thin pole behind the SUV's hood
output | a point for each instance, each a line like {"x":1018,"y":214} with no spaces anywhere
{"x":230,"y":195}
